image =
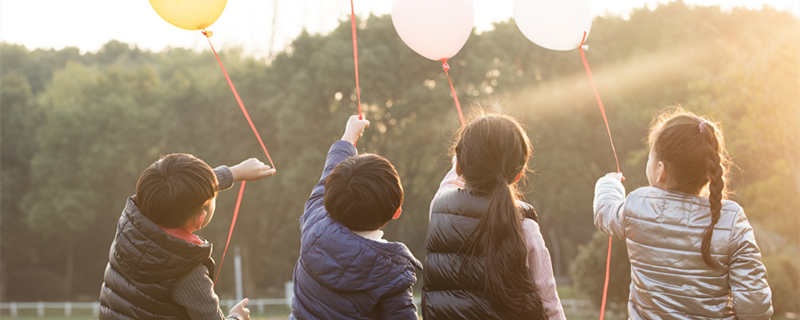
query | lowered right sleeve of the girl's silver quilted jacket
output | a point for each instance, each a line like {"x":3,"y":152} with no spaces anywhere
{"x":752,"y":297}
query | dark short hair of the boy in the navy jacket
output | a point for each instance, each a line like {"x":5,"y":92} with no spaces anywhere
{"x":363,"y":192}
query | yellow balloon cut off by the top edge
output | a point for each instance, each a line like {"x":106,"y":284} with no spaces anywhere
{"x":189,"y":14}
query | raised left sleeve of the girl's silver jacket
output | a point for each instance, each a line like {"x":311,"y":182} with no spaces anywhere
{"x":609,"y":202}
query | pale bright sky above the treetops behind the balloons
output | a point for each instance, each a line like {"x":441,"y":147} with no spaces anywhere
{"x":88,"y":24}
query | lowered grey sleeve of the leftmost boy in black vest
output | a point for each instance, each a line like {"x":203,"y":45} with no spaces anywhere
{"x":195,"y":292}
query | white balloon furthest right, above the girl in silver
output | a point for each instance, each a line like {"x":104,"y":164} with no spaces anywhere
{"x":555,"y":25}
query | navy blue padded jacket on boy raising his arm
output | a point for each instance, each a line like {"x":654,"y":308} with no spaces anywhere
{"x":341,"y":275}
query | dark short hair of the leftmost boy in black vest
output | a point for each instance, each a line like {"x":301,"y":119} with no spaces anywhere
{"x":174,"y":188}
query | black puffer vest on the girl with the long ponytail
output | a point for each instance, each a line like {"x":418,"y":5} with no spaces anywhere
{"x":448,"y":292}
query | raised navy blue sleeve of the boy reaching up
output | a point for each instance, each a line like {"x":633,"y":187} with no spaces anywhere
{"x":314,"y":209}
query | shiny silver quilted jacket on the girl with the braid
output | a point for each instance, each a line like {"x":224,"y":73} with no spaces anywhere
{"x":663,"y":231}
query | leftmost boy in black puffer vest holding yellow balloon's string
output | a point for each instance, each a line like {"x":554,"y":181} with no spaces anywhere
{"x":158,"y":268}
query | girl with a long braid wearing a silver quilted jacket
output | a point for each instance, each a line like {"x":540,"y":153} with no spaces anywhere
{"x":693,"y":255}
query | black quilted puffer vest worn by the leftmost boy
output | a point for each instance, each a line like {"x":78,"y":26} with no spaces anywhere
{"x":144,"y":263}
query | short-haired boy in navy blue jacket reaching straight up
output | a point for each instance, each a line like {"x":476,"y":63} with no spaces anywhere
{"x":346,"y":270}
